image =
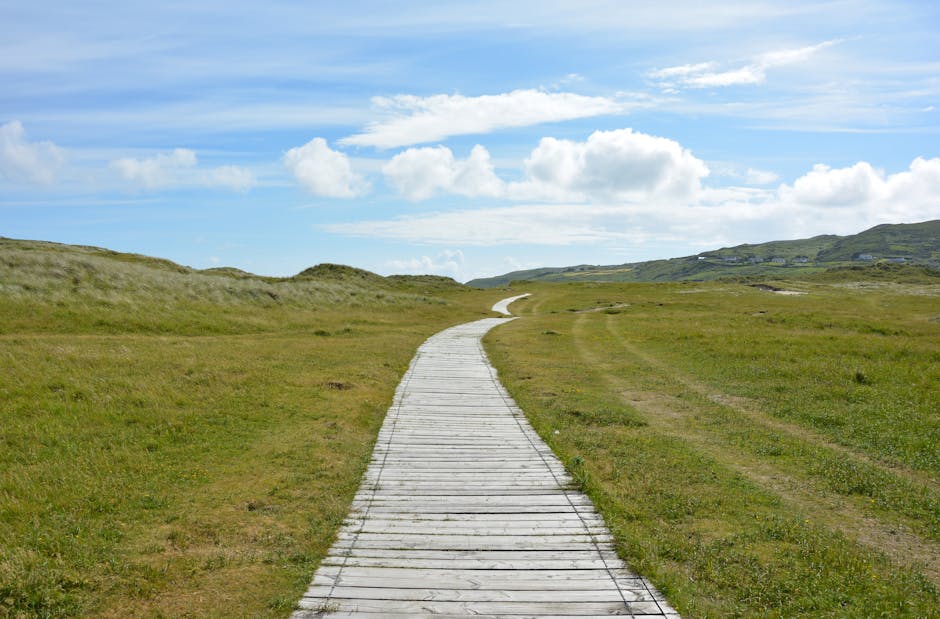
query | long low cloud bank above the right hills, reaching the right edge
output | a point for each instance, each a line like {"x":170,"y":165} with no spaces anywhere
{"x":823,"y":201}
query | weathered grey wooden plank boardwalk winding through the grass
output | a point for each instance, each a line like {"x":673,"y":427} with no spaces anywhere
{"x":464,"y":511}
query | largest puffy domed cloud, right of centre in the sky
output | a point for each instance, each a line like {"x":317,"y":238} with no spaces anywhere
{"x":611,"y":165}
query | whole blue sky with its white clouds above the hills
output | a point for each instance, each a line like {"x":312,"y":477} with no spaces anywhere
{"x":466,"y":139}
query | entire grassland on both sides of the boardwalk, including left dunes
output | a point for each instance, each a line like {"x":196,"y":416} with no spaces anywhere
{"x":177,"y":443}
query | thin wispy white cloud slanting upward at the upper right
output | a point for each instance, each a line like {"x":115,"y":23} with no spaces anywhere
{"x":707,"y":75}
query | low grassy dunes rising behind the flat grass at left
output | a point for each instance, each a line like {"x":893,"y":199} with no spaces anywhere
{"x":40,"y":274}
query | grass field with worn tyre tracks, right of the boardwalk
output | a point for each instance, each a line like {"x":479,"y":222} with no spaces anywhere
{"x":755,"y":454}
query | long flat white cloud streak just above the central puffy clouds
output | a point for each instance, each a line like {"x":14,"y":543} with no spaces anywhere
{"x":415,"y":120}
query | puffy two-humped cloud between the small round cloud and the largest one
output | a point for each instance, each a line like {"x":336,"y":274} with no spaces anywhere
{"x":420,"y":173}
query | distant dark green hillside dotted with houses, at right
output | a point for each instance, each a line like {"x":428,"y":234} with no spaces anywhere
{"x":917,"y":244}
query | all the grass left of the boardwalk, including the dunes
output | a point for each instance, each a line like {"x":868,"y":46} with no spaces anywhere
{"x":180,"y":443}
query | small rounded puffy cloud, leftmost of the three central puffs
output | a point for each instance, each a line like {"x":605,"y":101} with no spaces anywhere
{"x":324,"y":171}
